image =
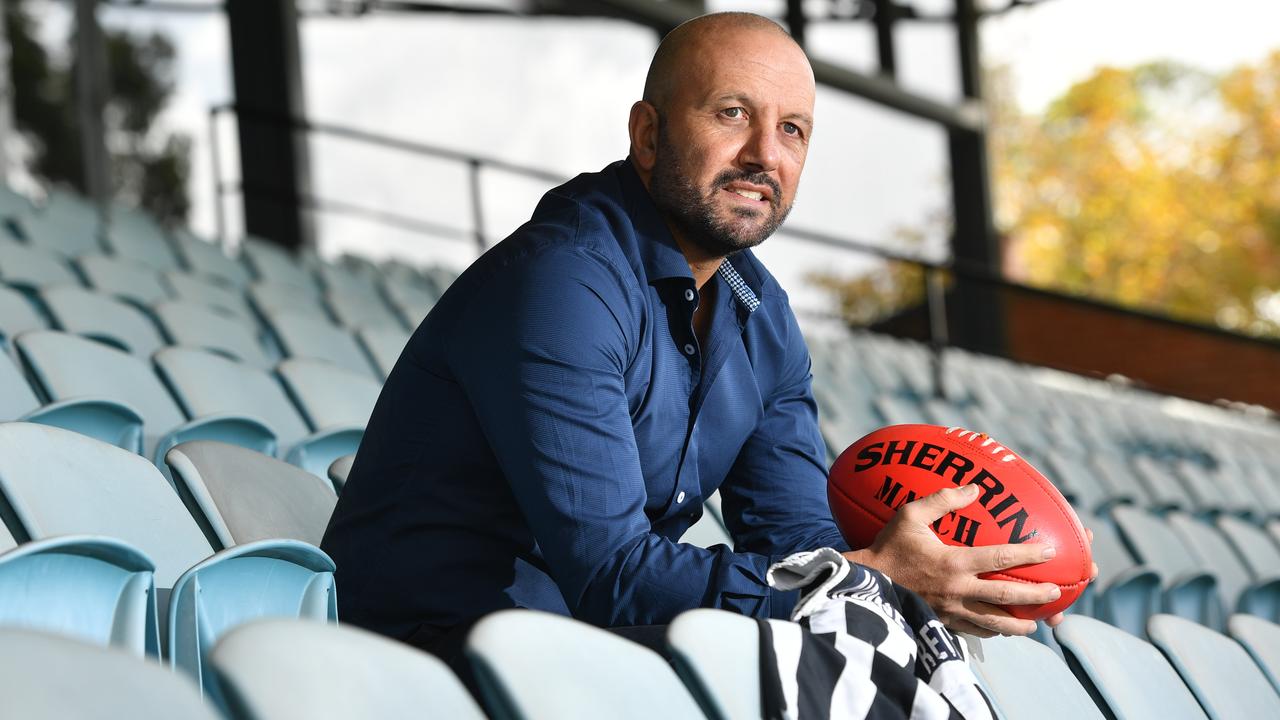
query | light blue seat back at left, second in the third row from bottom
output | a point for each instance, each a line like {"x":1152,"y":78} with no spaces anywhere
{"x":68,"y":367}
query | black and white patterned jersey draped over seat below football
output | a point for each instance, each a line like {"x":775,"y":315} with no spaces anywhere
{"x":861,"y":648}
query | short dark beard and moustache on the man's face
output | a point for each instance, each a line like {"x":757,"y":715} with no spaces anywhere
{"x":693,"y":212}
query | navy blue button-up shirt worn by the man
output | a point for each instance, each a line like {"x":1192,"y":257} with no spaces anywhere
{"x":554,"y":427}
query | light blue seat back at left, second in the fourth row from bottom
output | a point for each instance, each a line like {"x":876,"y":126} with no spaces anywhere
{"x":95,"y":316}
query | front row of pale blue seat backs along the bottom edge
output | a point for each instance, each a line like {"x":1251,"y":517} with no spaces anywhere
{"x":540,"y":667}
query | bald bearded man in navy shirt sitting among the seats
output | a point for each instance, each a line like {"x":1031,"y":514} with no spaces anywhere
{"x":557,"y":421}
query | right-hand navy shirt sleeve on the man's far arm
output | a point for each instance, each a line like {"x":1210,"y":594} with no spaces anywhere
{"x":775,"y":499}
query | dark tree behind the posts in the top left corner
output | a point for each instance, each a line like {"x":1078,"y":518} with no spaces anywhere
{"x":150,"y":167}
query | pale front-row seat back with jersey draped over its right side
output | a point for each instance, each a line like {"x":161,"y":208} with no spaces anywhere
{"x":717,"y":655}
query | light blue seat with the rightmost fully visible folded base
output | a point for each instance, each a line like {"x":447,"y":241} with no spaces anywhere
{"x":1190,"y":590}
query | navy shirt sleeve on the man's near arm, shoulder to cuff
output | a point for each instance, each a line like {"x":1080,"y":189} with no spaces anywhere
{"x":542,"y":357}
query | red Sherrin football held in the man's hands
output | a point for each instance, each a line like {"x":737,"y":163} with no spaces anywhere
{"x":895,"y":466}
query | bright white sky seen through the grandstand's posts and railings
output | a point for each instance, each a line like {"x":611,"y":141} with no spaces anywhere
{"x":555,"y":94}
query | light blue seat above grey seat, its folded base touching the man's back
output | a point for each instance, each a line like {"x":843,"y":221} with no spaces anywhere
{"x":209,"y":386}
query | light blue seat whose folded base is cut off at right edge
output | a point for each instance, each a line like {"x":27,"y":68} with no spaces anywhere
{"x":1238,"y":589}
